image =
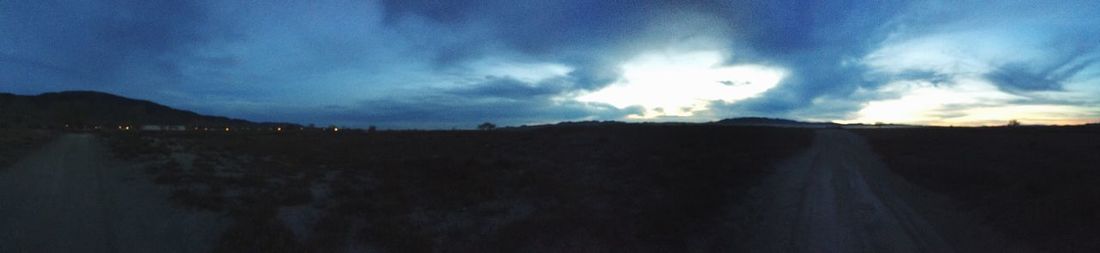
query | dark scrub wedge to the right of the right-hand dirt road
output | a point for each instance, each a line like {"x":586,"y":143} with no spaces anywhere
{"x":1038,"y":185}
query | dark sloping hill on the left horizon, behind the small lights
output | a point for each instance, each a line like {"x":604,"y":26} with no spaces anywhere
{"x":101,"y":109}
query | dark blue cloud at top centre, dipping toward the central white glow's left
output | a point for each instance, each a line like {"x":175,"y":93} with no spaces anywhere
{"x":593,"y":37}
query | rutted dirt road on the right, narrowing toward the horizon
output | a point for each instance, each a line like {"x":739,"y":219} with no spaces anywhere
{"x":838,"y":197}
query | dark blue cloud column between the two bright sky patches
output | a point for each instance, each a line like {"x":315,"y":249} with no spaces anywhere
{"x":818,"y":43}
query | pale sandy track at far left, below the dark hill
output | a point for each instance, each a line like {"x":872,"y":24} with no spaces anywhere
{"x":71,"y":197}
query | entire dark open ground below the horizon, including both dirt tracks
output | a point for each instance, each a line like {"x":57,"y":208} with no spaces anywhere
{"x":569,"y":189}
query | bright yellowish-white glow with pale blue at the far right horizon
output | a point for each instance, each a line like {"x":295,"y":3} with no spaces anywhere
{"x":943,"y":80}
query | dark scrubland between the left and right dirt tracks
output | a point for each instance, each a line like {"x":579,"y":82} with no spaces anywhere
{"x":606,"y":189}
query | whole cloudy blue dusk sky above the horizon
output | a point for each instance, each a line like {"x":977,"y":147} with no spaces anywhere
{"x":439,"y":64}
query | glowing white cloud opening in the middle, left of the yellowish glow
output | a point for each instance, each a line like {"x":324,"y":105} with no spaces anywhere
{"x":681,"y":84}
